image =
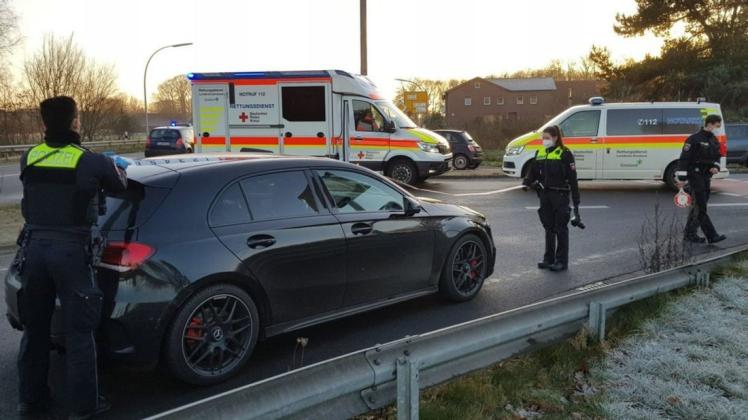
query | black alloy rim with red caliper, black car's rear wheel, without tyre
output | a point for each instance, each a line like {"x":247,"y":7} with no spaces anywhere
{"x":217,"y":335}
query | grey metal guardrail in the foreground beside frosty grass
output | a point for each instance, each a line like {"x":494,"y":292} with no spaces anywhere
{"x":372,"y":378}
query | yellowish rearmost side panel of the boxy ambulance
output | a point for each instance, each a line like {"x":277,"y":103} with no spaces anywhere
{"x":210,"y":102}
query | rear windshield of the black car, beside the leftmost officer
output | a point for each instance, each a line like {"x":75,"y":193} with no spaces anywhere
{"x":131,"y":208}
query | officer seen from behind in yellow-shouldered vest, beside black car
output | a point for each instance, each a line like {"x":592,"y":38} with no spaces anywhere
{"x":61,"y":185}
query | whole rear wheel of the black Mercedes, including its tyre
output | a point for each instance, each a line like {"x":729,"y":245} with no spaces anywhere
{"x":212,"y":335}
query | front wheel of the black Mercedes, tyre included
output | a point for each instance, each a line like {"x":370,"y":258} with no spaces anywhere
{"x":465,"y":269}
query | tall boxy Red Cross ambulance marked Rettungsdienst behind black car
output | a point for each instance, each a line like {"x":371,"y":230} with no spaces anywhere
{"x":328,"y":113}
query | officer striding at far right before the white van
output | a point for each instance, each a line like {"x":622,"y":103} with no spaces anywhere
{"x":698,"y":163}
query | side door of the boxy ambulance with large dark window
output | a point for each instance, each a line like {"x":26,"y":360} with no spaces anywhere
{"x":306,"y":115}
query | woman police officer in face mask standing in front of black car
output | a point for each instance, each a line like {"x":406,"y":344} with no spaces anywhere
{"x":553,"y":175}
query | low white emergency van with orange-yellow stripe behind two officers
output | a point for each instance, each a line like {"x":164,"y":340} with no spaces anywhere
{"x":622,"y":141}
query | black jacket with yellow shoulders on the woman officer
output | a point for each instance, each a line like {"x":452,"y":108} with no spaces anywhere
{"x":555,"y":174}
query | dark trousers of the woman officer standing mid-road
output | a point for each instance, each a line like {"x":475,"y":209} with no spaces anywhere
{"x":555,"y":214}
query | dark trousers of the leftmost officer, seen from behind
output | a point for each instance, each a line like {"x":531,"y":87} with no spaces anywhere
{"x":58,"y":267}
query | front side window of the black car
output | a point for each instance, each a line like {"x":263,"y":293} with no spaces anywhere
{"x":353,"y":192}
